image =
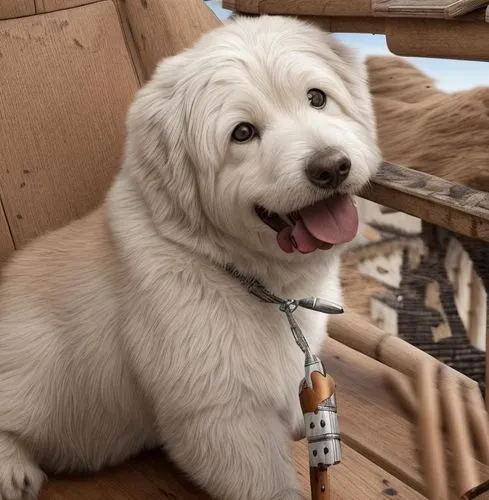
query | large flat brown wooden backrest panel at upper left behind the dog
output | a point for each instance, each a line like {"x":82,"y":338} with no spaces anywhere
{"x":65,"y":139}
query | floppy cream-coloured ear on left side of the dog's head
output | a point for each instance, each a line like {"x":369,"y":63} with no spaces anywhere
{"x":155,"y":148}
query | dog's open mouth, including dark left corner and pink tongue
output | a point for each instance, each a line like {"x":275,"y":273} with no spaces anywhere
{"x":319,"y":226}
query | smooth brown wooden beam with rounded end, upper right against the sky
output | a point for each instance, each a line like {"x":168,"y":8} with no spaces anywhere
{"x":438,"y":38}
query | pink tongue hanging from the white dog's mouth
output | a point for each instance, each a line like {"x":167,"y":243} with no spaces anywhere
{"x":331,"y":221}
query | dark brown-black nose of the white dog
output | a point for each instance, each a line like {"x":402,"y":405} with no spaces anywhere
{"x":329,"y":169}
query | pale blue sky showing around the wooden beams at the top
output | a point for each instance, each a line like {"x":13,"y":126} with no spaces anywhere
{"x":450,"y":75}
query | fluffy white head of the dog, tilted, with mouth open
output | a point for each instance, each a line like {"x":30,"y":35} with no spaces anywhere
{"x":261,"y":131}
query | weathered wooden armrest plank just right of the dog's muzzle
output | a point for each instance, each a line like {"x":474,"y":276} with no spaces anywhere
{"x":459,"y":208}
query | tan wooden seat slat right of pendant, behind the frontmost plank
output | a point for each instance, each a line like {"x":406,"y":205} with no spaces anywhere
{"x":370,"y":420}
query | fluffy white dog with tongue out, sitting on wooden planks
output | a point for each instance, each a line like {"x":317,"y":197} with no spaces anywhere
{"x":123,"y":330}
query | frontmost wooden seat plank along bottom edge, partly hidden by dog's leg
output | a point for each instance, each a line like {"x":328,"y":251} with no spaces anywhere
{"x":153,"y":476}
